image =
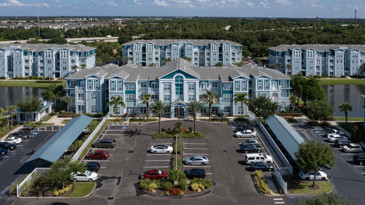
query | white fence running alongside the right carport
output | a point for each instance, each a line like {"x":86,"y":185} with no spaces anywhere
{"x":275,"y":147}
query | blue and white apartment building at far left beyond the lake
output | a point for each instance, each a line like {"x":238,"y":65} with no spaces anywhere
{"x":44,"y":60}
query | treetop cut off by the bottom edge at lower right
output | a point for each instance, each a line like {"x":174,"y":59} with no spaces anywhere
{"x":324,"y":199}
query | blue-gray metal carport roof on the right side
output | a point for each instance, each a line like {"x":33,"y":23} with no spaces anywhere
{"x":285,"y":133}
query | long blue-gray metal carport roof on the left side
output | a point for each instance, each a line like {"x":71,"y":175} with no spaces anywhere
{"x":54,"y":148}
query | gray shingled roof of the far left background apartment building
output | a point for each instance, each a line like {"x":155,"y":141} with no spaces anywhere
{"x":42,"y":47}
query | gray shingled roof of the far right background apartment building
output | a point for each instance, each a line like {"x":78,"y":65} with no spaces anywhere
{"x":318,"y":47}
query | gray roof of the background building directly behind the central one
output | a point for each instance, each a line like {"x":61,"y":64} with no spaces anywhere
{"x":200,"y":42}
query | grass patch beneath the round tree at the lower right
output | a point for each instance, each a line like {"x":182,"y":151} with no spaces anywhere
{"x":305,"y":188}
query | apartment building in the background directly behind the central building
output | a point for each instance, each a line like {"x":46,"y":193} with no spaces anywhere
{"x":199,"y":52}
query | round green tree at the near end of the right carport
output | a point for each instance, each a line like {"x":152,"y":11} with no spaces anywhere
{"x":312,"y":154}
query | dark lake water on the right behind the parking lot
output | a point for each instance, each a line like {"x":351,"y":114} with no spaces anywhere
{"x":337,"y":94}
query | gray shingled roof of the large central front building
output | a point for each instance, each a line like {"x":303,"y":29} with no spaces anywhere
{"x":132,"y":73}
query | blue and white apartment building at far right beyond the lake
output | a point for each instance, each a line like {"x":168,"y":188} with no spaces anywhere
{"x":318,"y":59}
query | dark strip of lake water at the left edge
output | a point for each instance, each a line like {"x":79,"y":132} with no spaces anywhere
{"x":12,"y":95}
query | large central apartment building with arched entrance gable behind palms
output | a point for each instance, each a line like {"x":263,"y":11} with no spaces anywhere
{"x":177,"y":83}
